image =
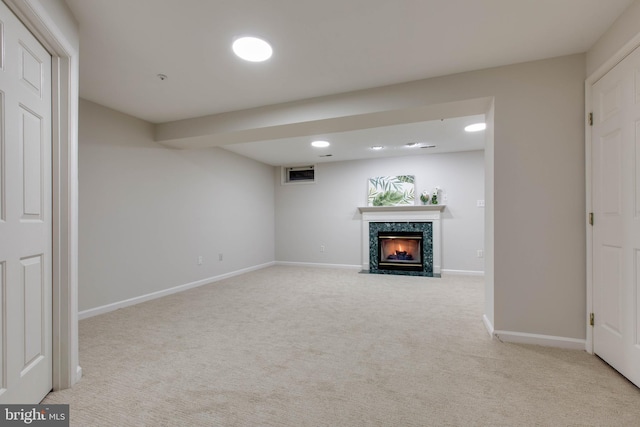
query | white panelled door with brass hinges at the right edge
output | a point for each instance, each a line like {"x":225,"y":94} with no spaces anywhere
{"x":616,"y":228}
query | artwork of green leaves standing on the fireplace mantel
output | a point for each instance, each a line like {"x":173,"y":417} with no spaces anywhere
{"x":391,"y":190}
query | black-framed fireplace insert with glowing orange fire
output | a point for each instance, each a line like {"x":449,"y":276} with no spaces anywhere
{"x":400,"y":250}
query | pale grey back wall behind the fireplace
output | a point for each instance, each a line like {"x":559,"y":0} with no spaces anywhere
{"x":325,"y":213}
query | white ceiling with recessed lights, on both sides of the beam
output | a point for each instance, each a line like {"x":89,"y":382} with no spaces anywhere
{"x":320,"y":48}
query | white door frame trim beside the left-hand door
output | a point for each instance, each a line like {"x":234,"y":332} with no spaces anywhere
{"x":64,"y":126}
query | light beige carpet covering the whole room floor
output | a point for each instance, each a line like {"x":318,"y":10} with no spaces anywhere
{"x":290,"y":346}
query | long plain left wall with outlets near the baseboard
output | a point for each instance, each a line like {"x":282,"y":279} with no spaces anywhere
{"x":147,"y":211}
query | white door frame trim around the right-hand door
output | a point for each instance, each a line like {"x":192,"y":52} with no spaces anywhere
{"x":607,"y":66}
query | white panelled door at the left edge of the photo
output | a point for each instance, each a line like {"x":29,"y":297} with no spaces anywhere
{"x":25,"y":214}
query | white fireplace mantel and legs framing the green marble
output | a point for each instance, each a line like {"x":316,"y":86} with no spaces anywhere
{"x":411,"y":213}
